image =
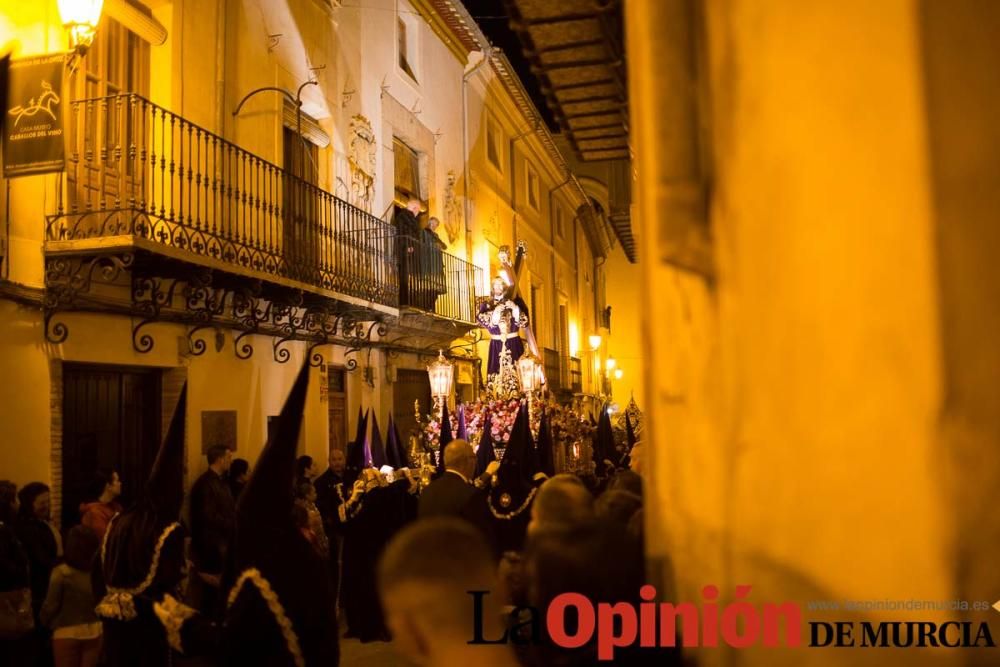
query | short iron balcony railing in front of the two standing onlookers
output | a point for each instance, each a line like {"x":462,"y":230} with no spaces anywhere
{"x":435,"y":281}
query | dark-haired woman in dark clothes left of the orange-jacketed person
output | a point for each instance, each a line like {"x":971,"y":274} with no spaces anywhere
{"x":38,"y":537}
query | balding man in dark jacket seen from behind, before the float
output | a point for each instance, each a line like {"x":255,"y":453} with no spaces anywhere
{"x":453,"y":493}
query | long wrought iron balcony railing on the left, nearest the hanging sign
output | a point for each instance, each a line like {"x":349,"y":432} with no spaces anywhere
{"x":139,"y":173}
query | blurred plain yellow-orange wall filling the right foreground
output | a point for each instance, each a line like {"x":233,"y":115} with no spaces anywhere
{"x":797,"y":392}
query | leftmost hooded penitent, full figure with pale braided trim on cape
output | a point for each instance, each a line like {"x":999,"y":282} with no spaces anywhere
{"x":142,"y":559}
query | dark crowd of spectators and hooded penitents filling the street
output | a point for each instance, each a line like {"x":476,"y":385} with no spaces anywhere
{"x":273,"y":566}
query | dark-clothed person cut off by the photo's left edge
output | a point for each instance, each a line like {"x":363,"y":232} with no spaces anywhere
{"x":16,"y":619}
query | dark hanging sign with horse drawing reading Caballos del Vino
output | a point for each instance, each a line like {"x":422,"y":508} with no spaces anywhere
{"x":33,"y":141}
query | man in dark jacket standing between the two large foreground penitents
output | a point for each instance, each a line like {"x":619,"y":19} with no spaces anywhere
{"x":213,"y":520}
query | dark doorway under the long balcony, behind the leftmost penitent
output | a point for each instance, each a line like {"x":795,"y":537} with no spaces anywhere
{"x":111,"y":420}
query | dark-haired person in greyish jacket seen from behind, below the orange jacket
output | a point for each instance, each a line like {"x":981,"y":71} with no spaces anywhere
{"x":69,"y":606}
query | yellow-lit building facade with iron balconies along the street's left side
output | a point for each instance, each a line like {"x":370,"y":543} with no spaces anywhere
{"x":226,"y":213}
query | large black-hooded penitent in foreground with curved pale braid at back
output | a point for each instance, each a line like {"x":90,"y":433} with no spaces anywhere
{"x":279,"y":609}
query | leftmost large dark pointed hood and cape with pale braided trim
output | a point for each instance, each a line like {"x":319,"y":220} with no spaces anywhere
{"x":142,"y":555}
